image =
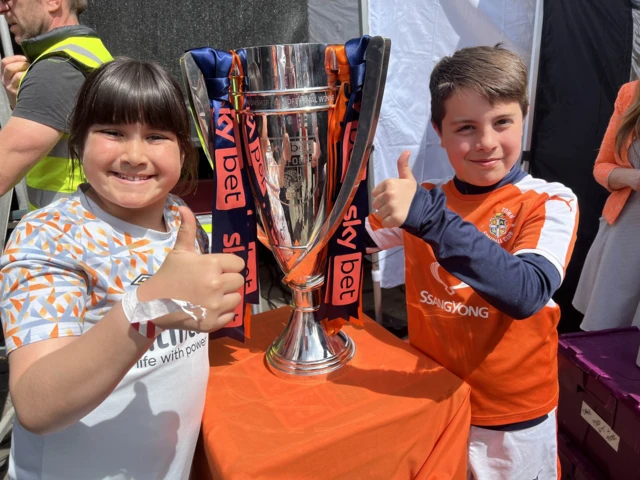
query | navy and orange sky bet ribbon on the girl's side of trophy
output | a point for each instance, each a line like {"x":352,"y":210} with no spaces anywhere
{"x":233,"y":220}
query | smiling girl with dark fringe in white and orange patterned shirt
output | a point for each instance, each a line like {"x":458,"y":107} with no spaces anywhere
{"x":107,"y":298}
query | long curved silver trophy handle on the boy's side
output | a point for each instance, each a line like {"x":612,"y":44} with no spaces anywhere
{"x":377,"y":62}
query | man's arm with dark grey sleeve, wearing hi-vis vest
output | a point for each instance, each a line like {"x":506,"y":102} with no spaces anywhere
{"x":39,"y":120}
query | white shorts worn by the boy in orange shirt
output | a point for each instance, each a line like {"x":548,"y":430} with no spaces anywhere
{"x":529,"y":454}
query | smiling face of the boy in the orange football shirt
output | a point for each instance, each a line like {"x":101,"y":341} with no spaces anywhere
{"x":482,"y":141}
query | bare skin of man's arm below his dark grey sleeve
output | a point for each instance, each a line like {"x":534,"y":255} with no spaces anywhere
{"x":22,"y":144}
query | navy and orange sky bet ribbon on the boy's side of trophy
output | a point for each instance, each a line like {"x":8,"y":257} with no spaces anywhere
{"x":342,"y":295}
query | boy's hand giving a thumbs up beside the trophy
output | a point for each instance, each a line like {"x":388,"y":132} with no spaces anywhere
{"x":392,"y":198}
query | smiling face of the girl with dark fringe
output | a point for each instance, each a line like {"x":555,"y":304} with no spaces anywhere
{"x":131,"y":169}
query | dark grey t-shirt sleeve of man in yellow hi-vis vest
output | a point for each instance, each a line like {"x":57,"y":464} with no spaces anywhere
{"x":48,"y":93}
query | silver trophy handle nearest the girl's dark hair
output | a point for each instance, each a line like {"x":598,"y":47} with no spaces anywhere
{"x":196,"y":91}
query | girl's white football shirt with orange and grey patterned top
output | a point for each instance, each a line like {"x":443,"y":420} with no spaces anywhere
{"x":64,"y":267}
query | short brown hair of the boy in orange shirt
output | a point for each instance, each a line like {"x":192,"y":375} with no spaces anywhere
{"x":497,"y":74}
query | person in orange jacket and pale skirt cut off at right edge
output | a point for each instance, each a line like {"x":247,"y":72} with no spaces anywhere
{"x":608,"y":293}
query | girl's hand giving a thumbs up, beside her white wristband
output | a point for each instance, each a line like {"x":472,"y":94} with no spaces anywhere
{"x":211,"y":281}
